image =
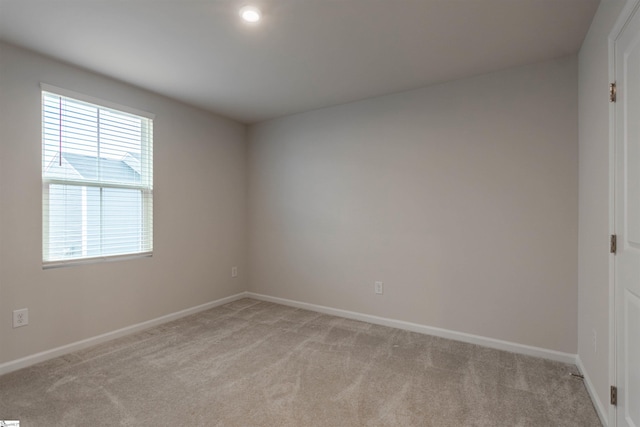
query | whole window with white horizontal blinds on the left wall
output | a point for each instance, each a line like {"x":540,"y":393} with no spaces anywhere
{"x":97,"y":179}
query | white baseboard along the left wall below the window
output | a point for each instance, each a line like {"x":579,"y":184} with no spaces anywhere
{"x":24,"y":362}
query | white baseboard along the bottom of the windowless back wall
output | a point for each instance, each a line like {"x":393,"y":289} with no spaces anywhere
{"x":423,"y":329}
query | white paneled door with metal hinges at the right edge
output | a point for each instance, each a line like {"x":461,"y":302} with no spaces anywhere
{"x":627,"y":222}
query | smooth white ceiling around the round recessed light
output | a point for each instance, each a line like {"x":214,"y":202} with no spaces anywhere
{"x":304,"y":54}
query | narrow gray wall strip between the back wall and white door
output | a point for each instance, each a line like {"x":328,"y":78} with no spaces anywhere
{"x":593,"y":271}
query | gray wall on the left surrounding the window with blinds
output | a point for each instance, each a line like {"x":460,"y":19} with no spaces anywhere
{"x":199,"y":207}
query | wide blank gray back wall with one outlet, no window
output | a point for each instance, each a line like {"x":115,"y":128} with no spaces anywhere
{"x":461,"y":198}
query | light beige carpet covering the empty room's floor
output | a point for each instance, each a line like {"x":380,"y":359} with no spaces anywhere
{"x":251,"y":363}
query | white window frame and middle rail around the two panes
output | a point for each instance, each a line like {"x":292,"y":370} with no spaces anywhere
{"x":145,"y":186}
